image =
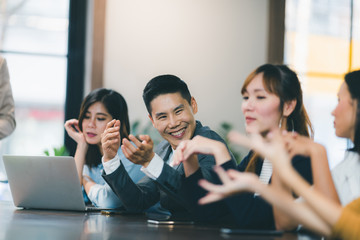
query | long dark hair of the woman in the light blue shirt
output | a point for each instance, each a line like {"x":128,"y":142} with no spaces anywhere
{"x":116,"y":105}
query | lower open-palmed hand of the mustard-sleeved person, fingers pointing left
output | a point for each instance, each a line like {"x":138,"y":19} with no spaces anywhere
{"x":233,"y":182}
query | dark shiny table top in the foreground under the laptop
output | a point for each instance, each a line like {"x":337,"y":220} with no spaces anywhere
{"x":45,"y":224}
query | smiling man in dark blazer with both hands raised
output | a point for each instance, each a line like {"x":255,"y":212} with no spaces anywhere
{"x":171,"y":110}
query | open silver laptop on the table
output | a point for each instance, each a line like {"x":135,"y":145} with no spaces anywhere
{"x":45,"y":182}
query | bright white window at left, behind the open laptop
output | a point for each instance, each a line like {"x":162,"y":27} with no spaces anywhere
{"x":34,"y":41}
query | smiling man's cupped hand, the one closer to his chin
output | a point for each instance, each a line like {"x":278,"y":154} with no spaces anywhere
{"x":142,"y":152}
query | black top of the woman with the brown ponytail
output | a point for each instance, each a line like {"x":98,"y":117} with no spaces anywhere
{"x":246,"y":210}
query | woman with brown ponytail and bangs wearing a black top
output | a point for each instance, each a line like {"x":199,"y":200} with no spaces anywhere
{"x":272,"y":99}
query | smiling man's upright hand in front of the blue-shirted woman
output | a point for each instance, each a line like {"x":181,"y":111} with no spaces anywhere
{"x":110,"y":140}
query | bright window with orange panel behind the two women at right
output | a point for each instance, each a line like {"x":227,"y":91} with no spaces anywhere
{"x":321,"y":42}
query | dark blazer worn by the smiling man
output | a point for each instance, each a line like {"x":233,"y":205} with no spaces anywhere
{"x":168,"y":187}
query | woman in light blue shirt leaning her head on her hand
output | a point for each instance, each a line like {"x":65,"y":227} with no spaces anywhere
{"x":101,"y":109}
